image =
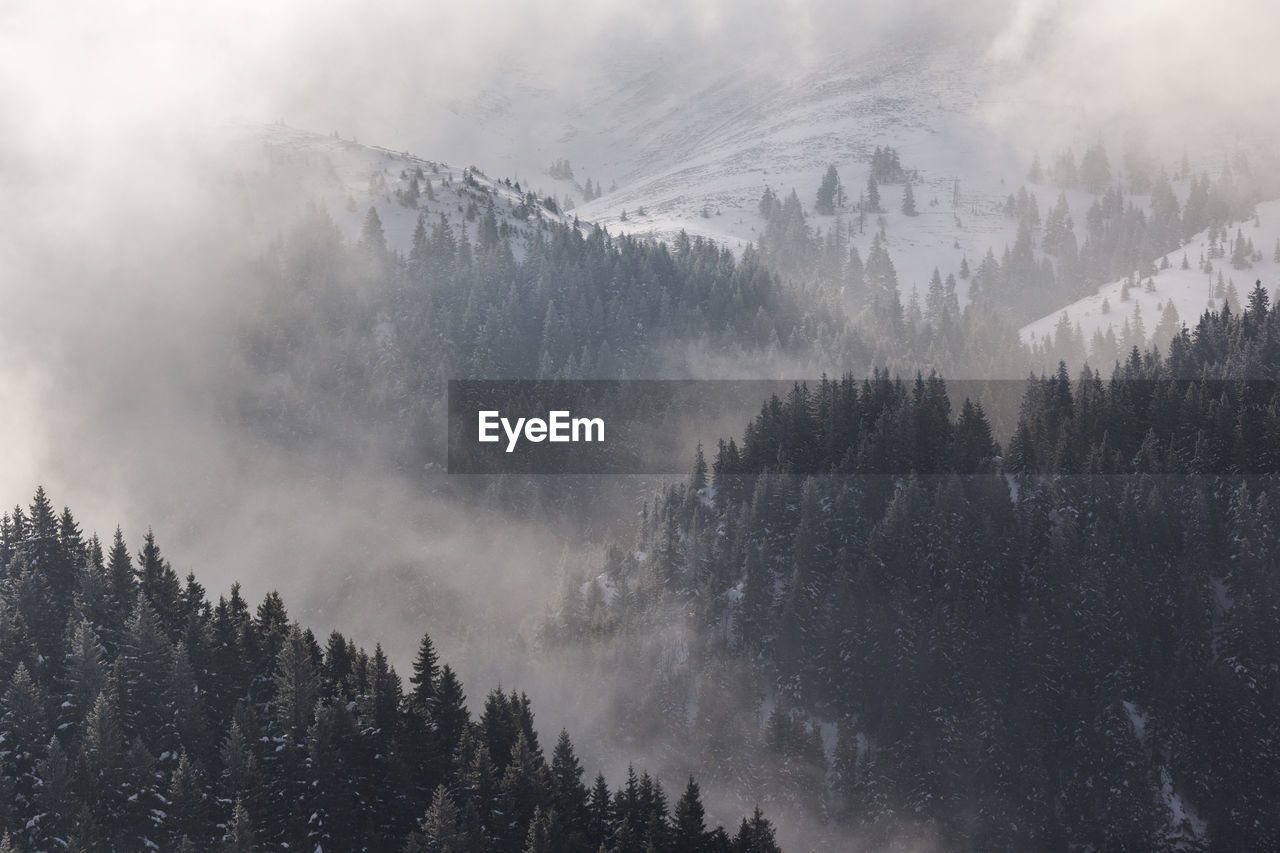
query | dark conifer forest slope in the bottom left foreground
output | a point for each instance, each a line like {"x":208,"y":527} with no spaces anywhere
{"x":139,"y":715}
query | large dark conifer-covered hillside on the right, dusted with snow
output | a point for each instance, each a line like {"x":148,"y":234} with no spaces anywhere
{"x":1071,"y":644}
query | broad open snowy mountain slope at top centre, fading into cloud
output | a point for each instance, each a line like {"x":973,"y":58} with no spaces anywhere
{"x":697,"y":157}
